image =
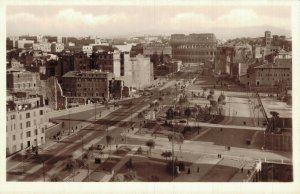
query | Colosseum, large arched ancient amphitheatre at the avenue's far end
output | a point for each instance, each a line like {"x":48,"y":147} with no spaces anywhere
{"x":193,"y":48}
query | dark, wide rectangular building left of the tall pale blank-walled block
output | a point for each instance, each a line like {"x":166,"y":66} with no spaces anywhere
{"x":87,"y":84}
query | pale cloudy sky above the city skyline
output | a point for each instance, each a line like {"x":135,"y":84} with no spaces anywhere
{"x":133,"y":20}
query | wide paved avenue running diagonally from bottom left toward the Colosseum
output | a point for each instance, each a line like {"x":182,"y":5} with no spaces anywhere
{"x":52,"y":160}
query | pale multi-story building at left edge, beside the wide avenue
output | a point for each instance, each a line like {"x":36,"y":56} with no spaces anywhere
{"x":25,"y":123}
